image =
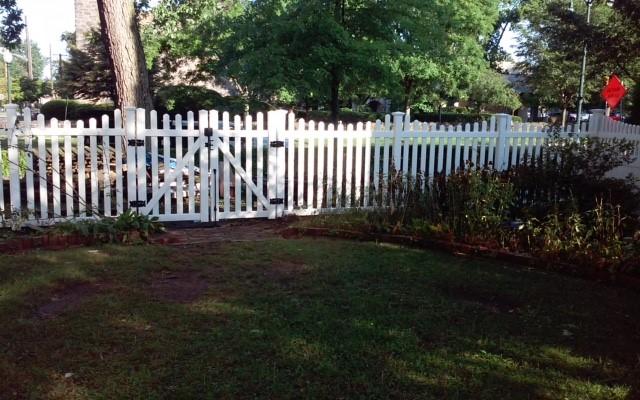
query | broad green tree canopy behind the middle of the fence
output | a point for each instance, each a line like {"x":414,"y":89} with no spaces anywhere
{"x":329,"y":51}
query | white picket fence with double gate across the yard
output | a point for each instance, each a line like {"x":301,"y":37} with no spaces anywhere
{"x":215,"y":168}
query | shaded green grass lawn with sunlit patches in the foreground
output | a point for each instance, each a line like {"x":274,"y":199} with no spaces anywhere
{"x":307,"y":318}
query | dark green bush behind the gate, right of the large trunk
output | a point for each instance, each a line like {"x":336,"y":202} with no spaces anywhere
{"x":182,"y":98}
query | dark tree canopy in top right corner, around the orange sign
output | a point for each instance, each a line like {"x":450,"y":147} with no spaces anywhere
{"x":553,"y":36}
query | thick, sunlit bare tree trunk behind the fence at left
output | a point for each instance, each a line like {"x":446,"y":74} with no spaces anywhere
{"x":121,"y":38}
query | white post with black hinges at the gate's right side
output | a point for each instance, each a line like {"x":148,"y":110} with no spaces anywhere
{"x":276,"y":123}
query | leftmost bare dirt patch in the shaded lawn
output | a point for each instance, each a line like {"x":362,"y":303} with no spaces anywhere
{"x":68,"y":298}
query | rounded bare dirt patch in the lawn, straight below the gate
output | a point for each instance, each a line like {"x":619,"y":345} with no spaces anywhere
{"x":179,"y":286}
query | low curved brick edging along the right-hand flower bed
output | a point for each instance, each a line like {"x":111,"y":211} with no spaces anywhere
{"x":456,"y":248}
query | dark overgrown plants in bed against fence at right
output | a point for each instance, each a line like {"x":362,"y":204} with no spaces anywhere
{"x":562,"y":208}
